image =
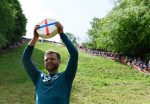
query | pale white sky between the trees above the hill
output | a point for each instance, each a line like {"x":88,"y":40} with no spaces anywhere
{"x":74,"y":15}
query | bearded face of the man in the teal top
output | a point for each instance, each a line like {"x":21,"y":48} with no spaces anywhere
{"x":51,"y":63}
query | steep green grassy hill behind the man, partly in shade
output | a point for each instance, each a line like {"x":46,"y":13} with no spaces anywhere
{"x":98,"y":80}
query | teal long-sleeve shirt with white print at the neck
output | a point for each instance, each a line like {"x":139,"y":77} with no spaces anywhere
{"x":52,"y":89}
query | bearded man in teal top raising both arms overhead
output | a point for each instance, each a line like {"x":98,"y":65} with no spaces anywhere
{"x":55,"y":87}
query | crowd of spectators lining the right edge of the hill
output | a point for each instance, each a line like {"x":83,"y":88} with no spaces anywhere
{"x":136,"y":62}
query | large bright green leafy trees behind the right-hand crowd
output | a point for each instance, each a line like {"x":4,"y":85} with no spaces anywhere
{"x":125,"y":29}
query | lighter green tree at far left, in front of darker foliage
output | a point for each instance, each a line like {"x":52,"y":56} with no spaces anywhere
{"x":6,"y":21}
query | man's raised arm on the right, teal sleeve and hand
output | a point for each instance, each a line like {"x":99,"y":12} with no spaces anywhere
{"x":73,"y":60}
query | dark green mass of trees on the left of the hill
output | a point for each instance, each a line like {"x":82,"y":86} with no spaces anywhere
{"x":12,"y":22}
